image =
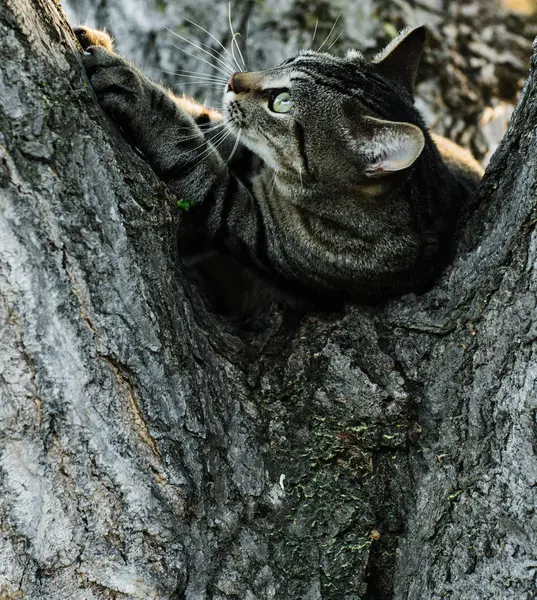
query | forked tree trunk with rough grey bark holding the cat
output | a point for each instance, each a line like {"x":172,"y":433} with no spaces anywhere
{"x":147,"y":450}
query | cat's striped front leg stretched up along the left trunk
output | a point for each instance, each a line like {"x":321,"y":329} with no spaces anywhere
{"x":164,"y":128}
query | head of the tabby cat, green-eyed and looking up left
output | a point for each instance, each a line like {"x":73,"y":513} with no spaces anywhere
{"x":317,"y":114}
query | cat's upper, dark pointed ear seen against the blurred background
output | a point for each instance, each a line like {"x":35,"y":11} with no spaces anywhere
{"x":400,"y":59}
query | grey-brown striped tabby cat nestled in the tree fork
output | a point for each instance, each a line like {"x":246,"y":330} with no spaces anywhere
{"x":335,"y":186}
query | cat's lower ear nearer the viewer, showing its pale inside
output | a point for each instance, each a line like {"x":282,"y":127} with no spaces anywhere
{"x":388,"y":146}
